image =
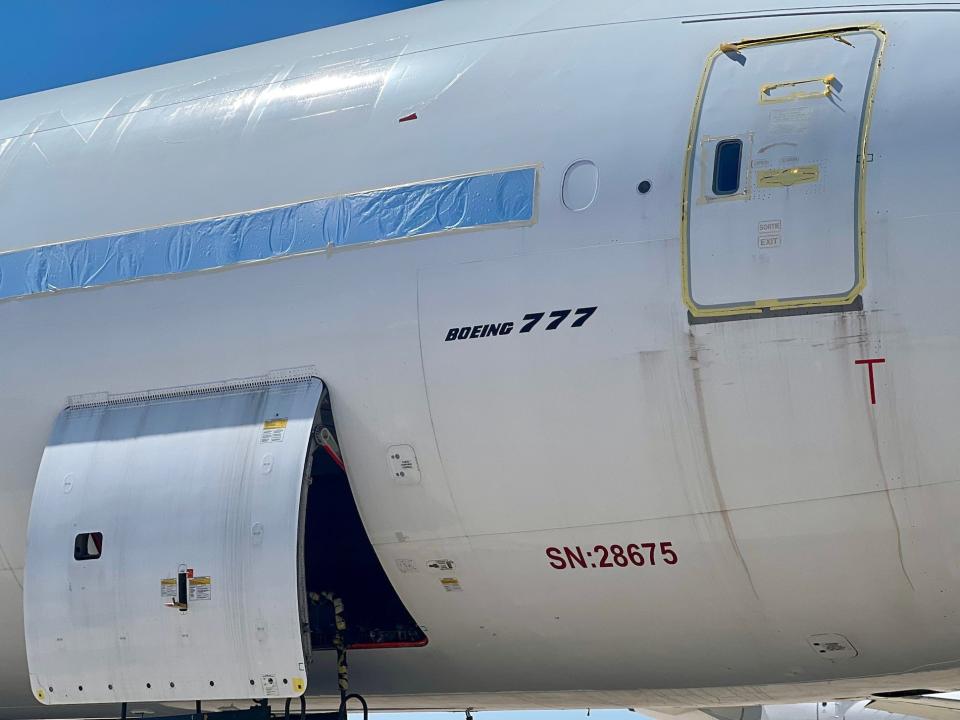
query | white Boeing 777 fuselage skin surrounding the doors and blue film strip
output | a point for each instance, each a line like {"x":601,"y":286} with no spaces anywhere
{"x":771,"y":495}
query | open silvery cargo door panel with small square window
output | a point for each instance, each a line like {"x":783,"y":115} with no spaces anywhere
{"x":163,"y":560}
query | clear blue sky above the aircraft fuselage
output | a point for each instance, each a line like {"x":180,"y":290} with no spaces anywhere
{"x":49,"y":43}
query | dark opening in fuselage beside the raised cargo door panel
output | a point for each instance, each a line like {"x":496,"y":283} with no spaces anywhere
{"x":340,"y":563}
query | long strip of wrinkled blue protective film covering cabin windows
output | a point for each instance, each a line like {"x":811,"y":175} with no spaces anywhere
{"x":394,"y":213}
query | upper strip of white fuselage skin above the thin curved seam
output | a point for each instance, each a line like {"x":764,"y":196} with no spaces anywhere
{"x":409,"y":32}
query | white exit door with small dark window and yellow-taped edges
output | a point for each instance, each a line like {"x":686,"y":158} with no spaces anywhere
{"x":773,"y":211}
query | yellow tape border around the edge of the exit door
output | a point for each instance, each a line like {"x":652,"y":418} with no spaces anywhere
{"x":757,"y":307}
